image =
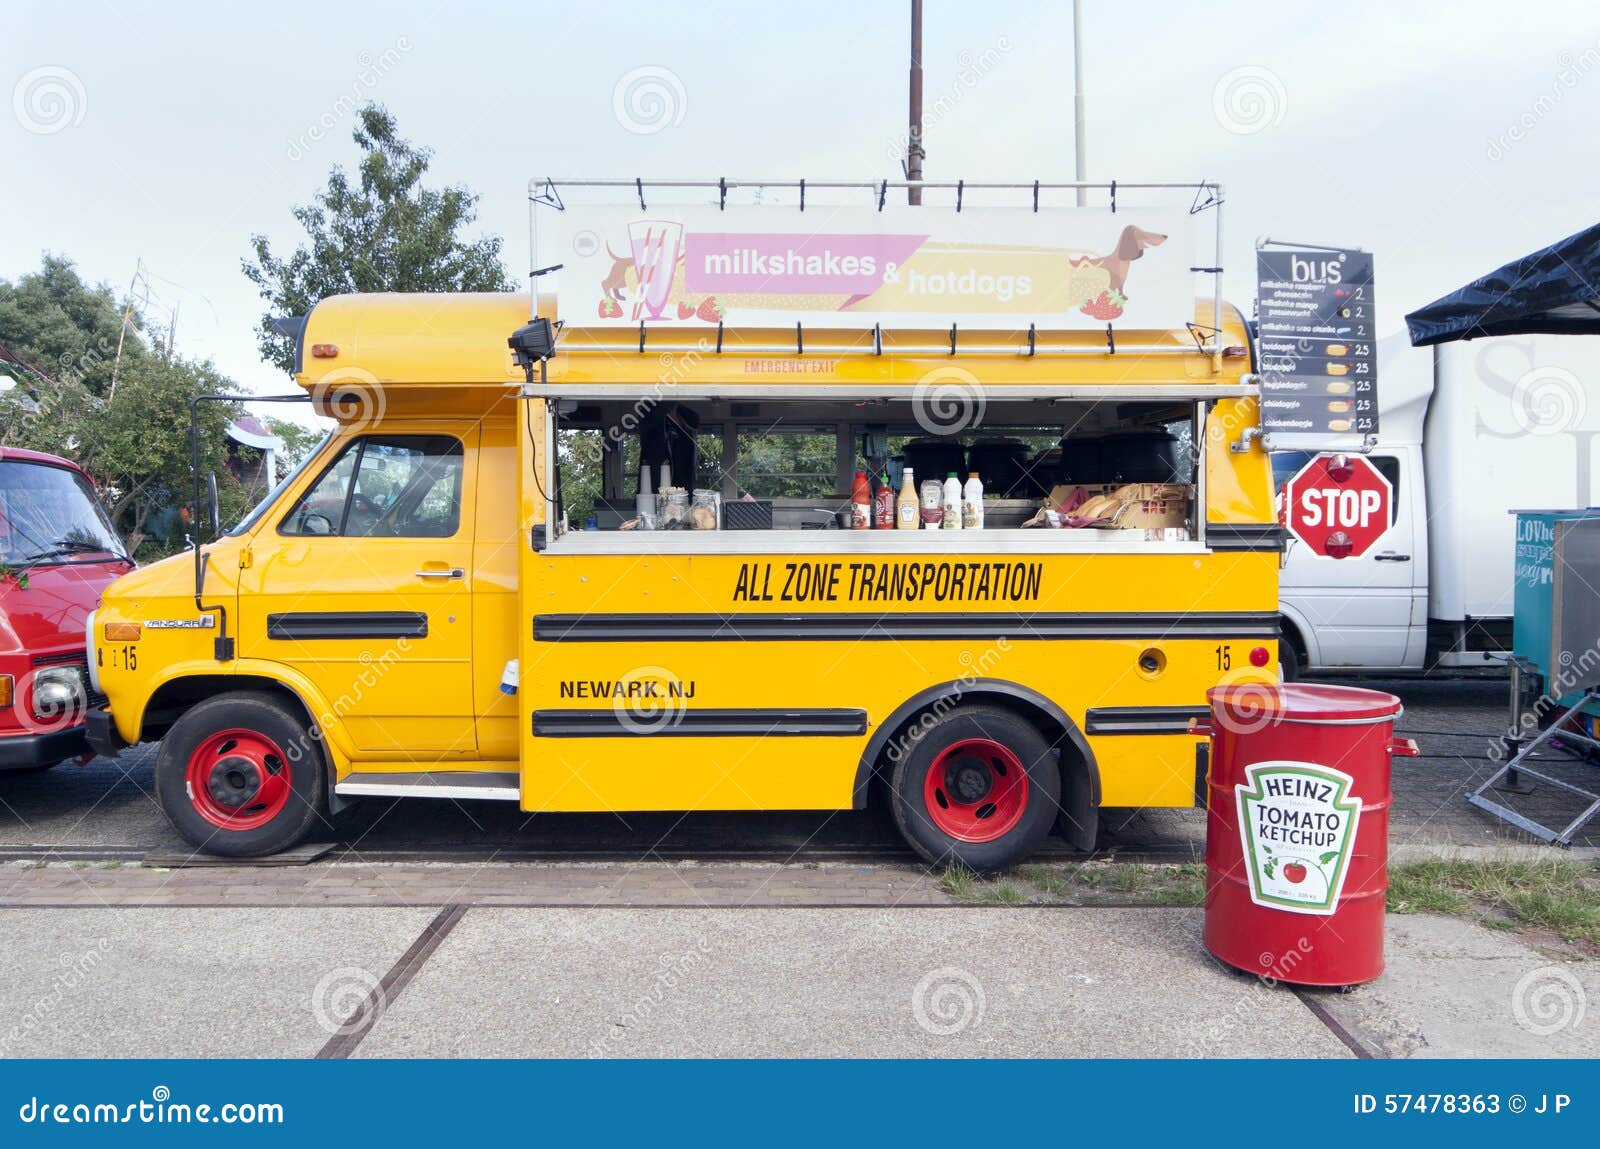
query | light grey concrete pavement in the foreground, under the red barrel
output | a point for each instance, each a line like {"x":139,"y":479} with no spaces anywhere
{"x":894,"y":980}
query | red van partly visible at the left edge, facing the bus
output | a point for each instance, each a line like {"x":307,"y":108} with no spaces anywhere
{"x":58,"y":551}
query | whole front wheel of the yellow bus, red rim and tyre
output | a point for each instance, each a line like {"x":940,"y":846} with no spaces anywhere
{"x":241,"y":777}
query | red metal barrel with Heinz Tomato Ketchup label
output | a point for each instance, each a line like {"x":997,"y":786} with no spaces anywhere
{"x":1297,"y":843}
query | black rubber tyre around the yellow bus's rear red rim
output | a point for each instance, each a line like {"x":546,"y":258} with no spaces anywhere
{"x":926,"y":747}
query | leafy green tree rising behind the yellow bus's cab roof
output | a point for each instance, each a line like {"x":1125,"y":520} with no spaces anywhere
{"x":383,"y":231}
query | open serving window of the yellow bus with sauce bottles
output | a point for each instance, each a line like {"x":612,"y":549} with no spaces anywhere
{"x":735,"y":473}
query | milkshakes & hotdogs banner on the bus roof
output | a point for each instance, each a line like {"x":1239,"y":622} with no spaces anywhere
{"x":854,"y":268}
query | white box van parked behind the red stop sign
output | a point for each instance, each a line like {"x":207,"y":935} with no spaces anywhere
{"x":1468,"y":431}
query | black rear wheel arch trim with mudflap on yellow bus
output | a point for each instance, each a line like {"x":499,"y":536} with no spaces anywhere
{"x":1081,"y":790}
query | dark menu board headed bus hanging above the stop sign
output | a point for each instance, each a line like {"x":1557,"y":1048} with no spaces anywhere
{"x":1319,"y":367}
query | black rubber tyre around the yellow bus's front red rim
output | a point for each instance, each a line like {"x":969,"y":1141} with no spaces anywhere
{"x":290,"y":745}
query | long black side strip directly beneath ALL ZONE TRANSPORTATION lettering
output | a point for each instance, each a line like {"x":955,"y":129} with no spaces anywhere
{"x":879,"y":628}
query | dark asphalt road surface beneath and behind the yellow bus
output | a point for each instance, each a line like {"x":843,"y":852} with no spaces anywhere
{"x":110,"y":804}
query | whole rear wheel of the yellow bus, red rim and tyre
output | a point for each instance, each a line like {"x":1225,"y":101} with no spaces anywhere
{"x":978,"y":788}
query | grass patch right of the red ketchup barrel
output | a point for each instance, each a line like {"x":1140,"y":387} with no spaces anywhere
{"x":1558,"y":895}
